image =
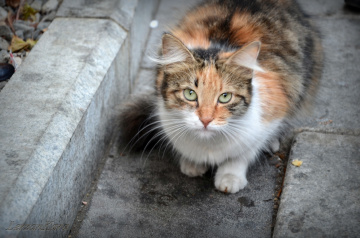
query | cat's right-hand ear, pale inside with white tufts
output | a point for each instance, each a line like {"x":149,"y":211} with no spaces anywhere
{"x":247,"y":56}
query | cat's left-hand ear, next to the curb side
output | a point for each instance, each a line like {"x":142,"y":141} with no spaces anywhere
{"x":174,"y":51}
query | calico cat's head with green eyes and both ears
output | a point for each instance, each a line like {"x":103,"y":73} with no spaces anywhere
{"x":206,"y":87}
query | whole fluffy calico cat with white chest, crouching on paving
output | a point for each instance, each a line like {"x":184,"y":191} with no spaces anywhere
{"x":231,"y":75}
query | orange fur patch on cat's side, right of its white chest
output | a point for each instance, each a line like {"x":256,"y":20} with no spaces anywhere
{"x":273,"y":99}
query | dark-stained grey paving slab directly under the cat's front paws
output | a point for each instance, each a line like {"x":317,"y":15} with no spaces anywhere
{"x":147,"y":196}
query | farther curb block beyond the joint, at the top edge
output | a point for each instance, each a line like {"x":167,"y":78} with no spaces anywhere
{"x":133,"y":16}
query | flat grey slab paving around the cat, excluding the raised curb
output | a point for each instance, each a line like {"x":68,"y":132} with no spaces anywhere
{"x":146,"y":195}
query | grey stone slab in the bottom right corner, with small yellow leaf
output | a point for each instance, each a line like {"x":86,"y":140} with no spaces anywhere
{"x":321,"y":197}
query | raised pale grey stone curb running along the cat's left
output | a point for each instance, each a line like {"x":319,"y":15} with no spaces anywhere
{"x":57,"y":116}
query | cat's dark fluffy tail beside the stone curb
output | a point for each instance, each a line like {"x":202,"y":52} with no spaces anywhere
{"x":139,"y":124}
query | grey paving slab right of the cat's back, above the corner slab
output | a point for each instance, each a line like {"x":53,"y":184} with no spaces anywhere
{"x":337,"y":104}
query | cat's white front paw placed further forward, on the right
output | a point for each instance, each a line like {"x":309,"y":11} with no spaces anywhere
{"x":229,"y":183}
